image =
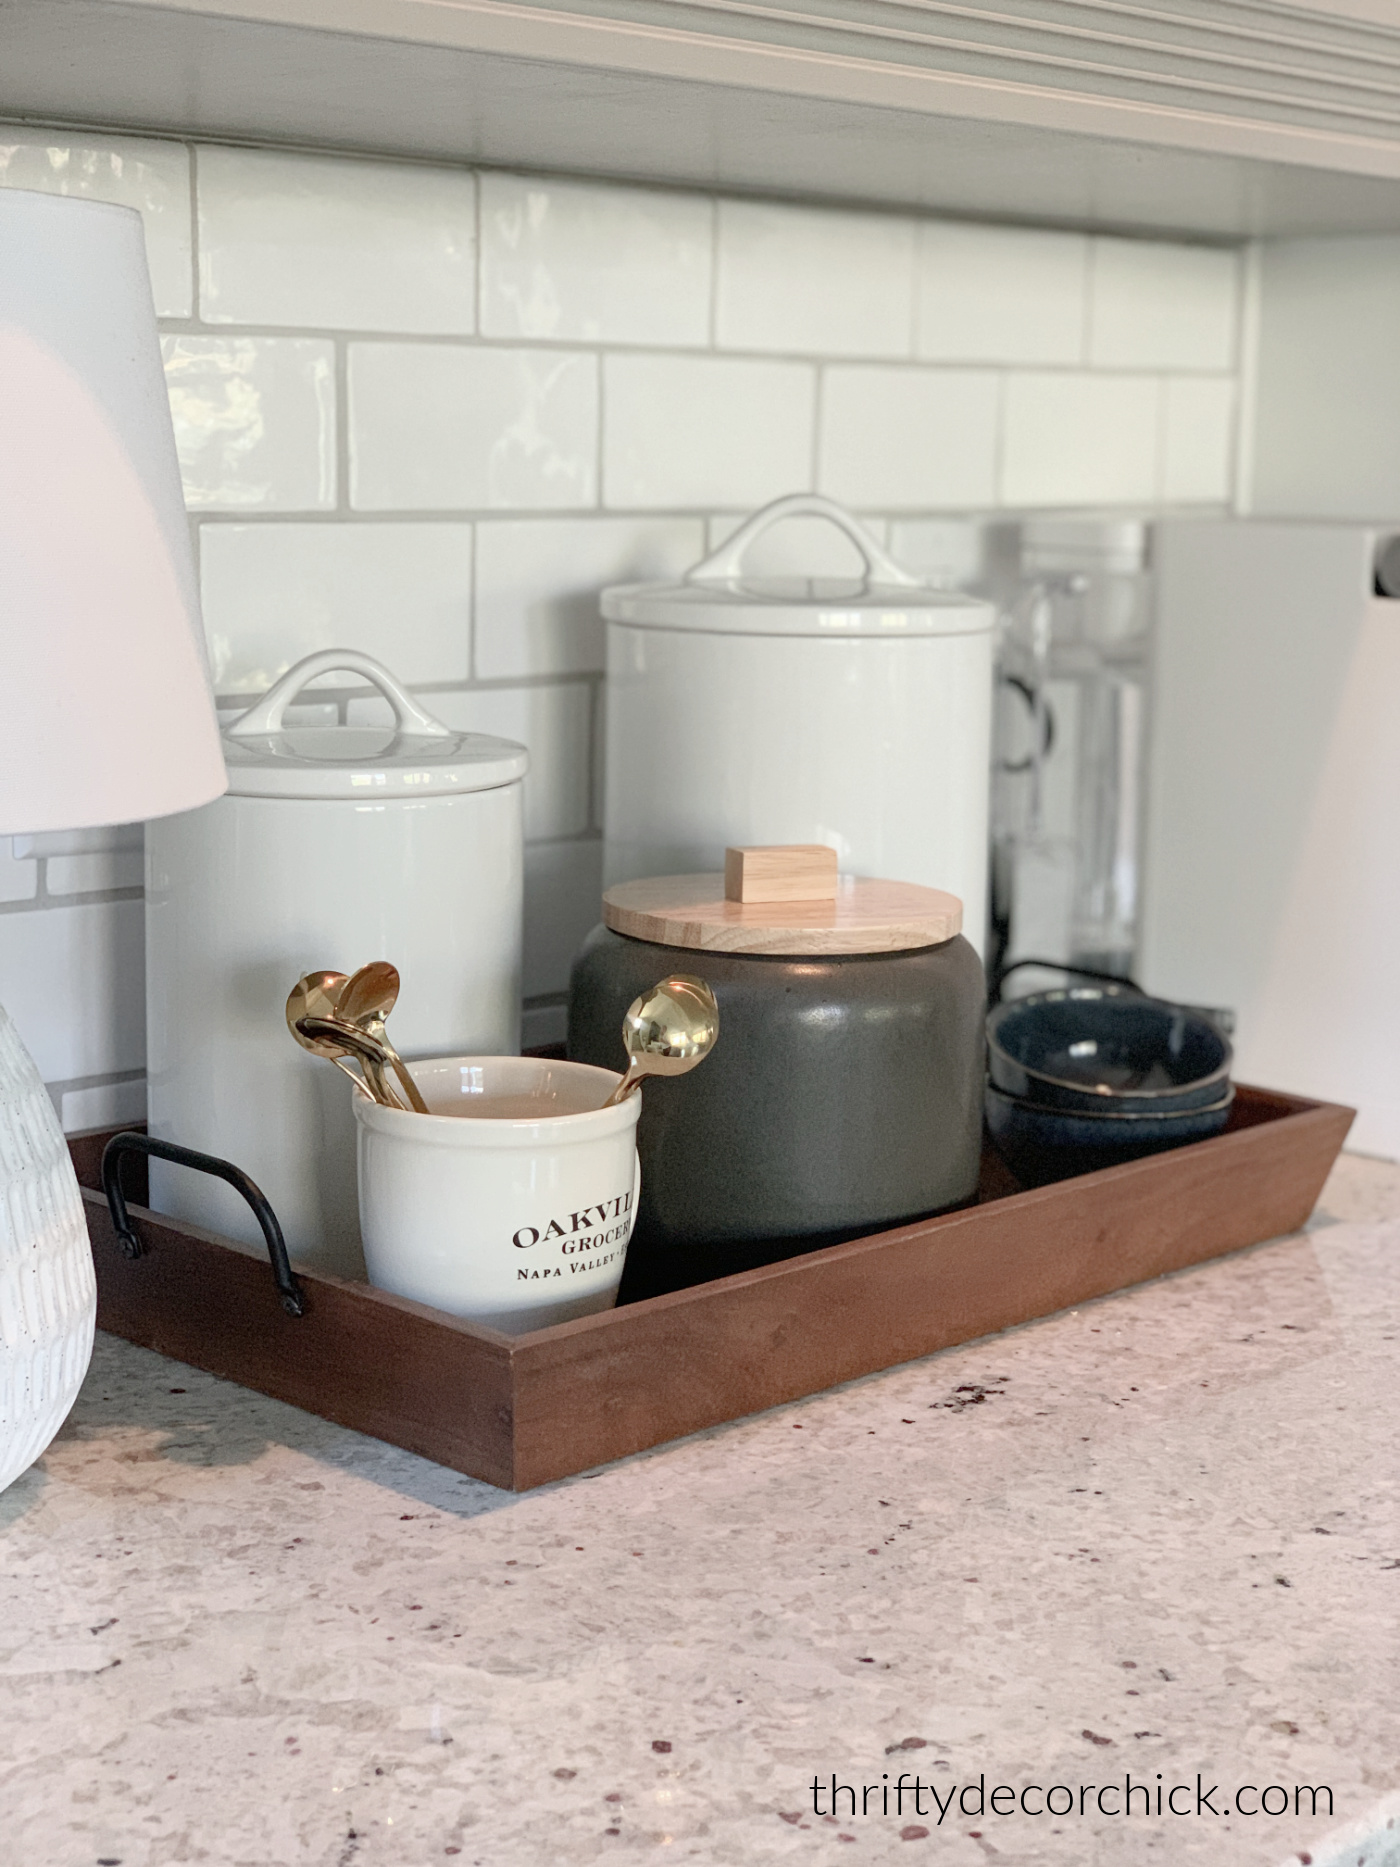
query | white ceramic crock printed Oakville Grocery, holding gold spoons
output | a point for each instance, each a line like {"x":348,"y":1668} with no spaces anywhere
{"x":516,"y":1224}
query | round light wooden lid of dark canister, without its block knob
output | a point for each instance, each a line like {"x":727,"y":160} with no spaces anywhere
{"x":863,"y":918}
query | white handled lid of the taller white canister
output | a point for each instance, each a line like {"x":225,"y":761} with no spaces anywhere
{"x":718,"y":598}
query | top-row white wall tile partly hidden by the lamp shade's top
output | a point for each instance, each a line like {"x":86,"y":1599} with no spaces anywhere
{"x":130,"y":171}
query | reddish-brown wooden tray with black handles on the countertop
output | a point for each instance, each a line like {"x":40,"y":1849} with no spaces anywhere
{"x":524,"y":1411}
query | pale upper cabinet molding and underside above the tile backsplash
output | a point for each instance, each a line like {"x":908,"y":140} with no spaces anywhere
{"x":1211,"y":117}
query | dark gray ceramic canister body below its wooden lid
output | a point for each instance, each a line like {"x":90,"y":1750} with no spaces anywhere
{"x":845,"y":1097}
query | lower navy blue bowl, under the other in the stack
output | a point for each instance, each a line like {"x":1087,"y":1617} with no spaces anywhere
{"x":1043,"y":1145}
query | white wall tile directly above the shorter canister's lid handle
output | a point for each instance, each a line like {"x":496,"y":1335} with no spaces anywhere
{"x":277,"y":593}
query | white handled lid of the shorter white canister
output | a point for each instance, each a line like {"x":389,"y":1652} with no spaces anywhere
{"x":417,"y":757}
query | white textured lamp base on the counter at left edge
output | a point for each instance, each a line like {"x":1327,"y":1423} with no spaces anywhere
{"x":48,"y":1287}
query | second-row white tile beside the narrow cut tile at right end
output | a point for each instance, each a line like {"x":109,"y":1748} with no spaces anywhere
{"x":1078,"y":440}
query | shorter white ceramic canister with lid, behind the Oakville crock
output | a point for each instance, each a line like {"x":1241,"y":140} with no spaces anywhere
{"x":333,"y":847}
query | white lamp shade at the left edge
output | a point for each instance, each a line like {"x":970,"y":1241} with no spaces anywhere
{"x":105,"y":705}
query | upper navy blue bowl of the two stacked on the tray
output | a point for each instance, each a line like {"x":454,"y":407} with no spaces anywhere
{"x":1106,"y":1048}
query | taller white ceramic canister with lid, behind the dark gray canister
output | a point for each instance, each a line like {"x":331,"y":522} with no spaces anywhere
{"x":763,"y":710}
